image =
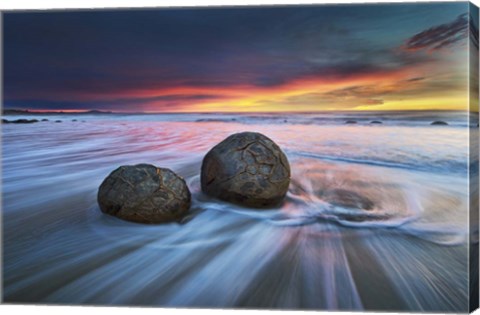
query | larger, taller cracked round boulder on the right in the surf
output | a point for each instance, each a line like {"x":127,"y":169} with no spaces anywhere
{"x":248,"y":169}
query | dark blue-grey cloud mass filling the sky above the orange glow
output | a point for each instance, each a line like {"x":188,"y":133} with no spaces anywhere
{"x":101,"y":54}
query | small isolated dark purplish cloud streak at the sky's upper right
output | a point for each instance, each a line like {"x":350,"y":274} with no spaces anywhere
{"x":441,"y":36}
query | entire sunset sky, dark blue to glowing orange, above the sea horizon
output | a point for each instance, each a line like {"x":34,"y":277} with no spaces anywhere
{"x":310,"y":58}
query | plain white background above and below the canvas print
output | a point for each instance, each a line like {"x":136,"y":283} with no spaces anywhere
{"x":52,"y":4}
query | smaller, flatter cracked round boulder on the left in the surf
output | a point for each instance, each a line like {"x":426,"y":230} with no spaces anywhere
{"x":144,"y":193}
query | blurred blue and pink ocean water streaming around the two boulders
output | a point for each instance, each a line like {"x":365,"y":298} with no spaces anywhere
{"x":410,"y":252}
